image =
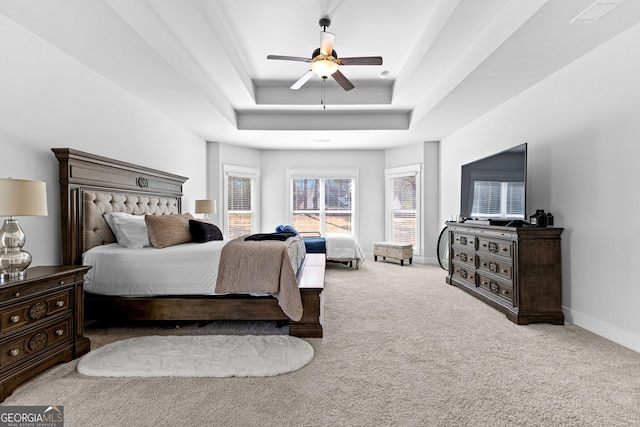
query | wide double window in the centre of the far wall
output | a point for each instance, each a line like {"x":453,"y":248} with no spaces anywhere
{"x":323,"y":202}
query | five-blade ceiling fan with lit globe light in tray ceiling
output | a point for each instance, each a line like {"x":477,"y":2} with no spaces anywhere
{"x":325,"y":61}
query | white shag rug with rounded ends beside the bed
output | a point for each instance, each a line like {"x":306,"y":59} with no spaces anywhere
{"x":198,"y":356}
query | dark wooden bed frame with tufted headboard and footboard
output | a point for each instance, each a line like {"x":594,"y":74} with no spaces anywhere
{"x":137,"y":189}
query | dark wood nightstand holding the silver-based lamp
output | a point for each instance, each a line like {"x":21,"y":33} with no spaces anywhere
{"x":41,"y":322}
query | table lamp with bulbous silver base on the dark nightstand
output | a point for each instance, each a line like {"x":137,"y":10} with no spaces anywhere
{"x":18,"y":197}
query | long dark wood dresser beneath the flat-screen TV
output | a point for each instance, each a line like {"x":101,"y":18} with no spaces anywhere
{"x":516,"y":270}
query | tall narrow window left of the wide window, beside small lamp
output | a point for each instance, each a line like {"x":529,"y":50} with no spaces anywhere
{"x":241,"y":201}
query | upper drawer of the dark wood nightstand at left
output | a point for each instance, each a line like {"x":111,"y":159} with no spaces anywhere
{"x":24,"y":313}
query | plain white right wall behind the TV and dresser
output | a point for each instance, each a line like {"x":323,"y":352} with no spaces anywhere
{"x":582,"y":125}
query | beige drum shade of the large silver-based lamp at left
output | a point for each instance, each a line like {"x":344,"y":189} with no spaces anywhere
{"x":21,"y":197}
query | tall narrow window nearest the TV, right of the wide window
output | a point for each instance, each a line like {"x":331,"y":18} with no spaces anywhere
{"x":402,"y":194}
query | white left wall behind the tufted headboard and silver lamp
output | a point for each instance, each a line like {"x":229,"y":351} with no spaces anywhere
{"x":49,"y":100}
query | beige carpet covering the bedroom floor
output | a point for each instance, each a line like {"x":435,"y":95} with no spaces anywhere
{"x":401,"y":348}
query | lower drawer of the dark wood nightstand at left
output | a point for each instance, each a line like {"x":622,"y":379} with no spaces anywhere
{"x":35,"y":341}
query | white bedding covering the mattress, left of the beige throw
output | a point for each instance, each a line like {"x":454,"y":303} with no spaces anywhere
{"x":186,"y":269}
